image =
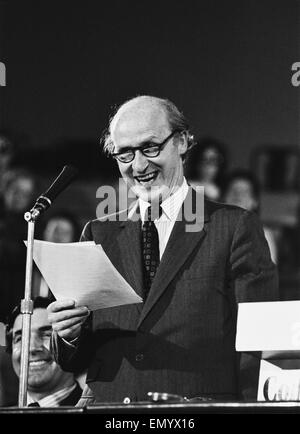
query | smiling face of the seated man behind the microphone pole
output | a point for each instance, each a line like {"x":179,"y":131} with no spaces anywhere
{"x":44,"y":374}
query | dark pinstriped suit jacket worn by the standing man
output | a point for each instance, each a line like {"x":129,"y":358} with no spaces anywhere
{"x":182,"y":339}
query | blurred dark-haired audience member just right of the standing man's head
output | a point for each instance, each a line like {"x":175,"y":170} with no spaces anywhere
{"x":206,"y":165}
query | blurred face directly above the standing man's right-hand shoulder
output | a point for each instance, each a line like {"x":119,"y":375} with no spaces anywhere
{"x":240,"y":193}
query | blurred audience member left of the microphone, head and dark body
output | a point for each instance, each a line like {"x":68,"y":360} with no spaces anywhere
{"x":19,"y":193}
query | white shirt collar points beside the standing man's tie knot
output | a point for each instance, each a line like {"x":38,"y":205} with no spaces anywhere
{"x":170,"y":206}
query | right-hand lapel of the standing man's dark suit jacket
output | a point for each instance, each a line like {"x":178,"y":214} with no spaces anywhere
{"x":179,"y":247}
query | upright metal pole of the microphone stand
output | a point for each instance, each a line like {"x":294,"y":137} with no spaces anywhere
{"x":26,"y":311}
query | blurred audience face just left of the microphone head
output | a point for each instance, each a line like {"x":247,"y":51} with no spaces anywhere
{"x":18,"y":196}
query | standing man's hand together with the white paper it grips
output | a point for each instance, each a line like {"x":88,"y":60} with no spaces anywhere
{"x":82,"y":278}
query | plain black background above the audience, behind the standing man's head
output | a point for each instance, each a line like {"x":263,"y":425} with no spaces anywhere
{"x":226,"y":64}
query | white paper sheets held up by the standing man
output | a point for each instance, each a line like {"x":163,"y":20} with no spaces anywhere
{"x":82,"y":272}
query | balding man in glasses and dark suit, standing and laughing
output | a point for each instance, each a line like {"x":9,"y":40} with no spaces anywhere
{"x":190,"y":274}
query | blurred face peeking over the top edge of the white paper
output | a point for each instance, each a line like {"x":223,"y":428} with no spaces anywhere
{"x":59,"y":230}
